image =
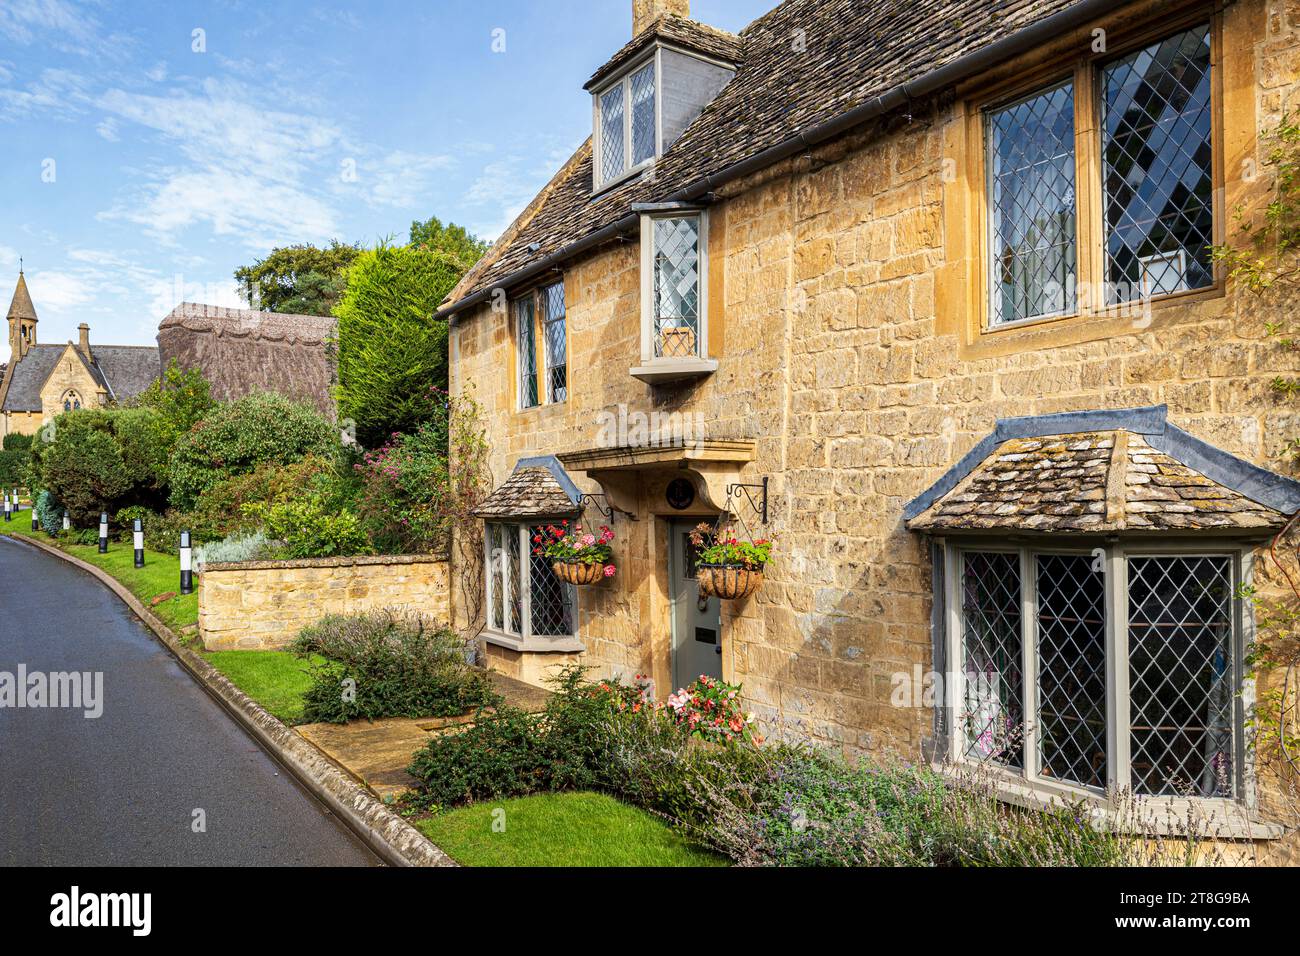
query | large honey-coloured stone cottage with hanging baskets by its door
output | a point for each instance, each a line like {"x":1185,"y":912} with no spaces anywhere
{"x":924,"y":292}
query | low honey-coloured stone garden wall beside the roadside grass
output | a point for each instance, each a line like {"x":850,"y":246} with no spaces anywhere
{"x":262,"y":605}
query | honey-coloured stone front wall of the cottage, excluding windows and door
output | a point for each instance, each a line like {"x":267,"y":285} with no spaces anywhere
{"x":847,"y":354}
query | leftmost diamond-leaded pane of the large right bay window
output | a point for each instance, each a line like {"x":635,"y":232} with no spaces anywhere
{"x":993,"y":711}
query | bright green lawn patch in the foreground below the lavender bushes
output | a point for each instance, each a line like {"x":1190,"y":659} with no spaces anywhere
{"x":562,"y":830}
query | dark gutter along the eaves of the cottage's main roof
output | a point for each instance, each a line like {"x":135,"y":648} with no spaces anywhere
{"x":964,"y":67}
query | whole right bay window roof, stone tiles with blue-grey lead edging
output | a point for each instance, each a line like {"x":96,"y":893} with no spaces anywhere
{"x":1103,"y":473}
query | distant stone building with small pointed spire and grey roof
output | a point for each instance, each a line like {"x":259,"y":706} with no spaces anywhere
{"x":44,"y":380}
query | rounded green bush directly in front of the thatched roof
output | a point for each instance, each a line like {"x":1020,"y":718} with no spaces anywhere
{"x":237,"y":438}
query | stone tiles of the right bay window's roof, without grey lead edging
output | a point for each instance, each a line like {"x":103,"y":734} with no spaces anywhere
{"x":1091,"y":482}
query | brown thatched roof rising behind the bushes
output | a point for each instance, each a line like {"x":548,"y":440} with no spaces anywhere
{"x":242,"y":351}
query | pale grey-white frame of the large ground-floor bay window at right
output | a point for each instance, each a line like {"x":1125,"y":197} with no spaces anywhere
{"x":1028,"y":786}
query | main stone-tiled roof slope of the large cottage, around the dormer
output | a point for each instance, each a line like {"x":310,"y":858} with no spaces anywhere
{"x":853,"y":53}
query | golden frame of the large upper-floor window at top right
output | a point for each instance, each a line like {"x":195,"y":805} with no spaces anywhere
{"x":965,"y":288}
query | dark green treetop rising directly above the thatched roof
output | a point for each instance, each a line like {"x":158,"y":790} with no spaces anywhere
{"x":304,"y":280}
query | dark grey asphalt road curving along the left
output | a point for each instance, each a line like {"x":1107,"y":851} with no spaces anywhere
{"x":123,"y":789}
